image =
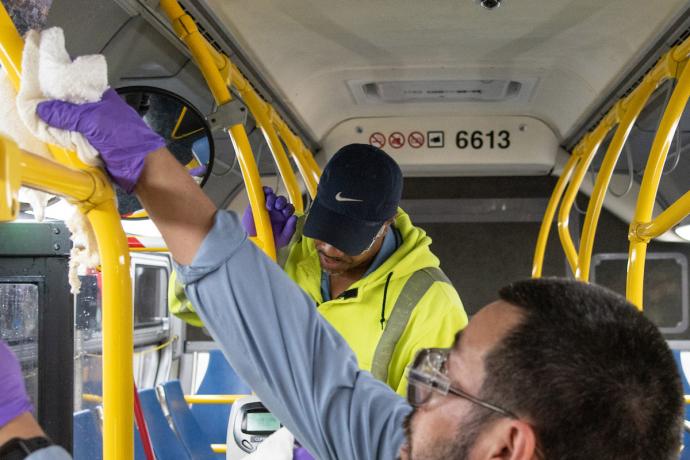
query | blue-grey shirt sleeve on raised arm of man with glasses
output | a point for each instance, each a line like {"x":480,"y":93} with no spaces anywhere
{"x":300,"y":367}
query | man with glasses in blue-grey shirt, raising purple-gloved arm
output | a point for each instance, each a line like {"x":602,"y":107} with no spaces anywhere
{"x":554,"y":369}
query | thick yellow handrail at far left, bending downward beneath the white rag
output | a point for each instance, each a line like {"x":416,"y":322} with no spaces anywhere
{"x":101,"y":211}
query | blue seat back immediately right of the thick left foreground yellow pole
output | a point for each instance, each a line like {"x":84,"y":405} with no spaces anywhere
{"x":165,"y":443}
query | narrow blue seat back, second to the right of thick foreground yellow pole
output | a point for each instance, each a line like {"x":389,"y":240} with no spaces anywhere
{"x":188,"y":429}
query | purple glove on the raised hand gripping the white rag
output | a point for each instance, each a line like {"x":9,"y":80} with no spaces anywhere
{"x":113,"y":128}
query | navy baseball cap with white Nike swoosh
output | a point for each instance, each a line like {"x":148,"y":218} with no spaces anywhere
{"x":359,"y":190}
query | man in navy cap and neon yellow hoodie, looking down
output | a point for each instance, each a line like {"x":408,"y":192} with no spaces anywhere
{"x":369,"y":270}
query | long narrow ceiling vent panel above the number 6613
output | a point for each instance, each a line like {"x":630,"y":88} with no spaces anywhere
{"x":394,"y":92}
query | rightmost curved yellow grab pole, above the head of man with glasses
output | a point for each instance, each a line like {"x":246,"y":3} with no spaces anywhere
{"x":650,"y":185}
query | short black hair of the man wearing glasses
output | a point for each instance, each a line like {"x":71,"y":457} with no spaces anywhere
{"x":589,"y":372}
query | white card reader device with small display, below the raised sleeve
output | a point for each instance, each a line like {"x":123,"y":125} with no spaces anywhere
{"x":250,"y":423}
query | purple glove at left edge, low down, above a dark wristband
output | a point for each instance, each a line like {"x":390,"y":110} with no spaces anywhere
{"x":13,"y":398}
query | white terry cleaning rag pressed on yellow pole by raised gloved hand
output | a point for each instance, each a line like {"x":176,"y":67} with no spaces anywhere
{"x":49,"y":73}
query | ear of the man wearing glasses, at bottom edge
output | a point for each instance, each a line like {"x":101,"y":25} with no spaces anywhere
{"x":510,"y":439}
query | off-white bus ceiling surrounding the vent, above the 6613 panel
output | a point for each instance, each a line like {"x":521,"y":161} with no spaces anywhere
{"x":311,"y":52}
